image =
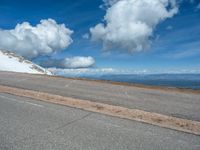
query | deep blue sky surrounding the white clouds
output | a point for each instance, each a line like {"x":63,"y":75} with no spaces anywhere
{"x":175,"y":43}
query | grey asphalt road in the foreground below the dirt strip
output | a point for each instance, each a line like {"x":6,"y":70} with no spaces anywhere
{"x":27,"y":124}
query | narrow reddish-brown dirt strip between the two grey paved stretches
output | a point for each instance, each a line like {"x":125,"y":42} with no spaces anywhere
{"x":161,"y":120}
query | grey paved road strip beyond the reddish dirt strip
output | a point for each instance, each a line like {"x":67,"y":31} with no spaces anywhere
{"x":183,"y":105}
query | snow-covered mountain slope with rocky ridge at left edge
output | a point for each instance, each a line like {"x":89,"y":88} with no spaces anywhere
{"x":11,"y":62}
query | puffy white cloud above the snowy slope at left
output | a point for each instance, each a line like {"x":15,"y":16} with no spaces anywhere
{"x":30,"y":41}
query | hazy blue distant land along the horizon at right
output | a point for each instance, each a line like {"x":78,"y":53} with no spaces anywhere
{"x":191,"y":81}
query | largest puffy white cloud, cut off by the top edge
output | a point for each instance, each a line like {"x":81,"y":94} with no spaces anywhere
{"x":129,"y":24}
